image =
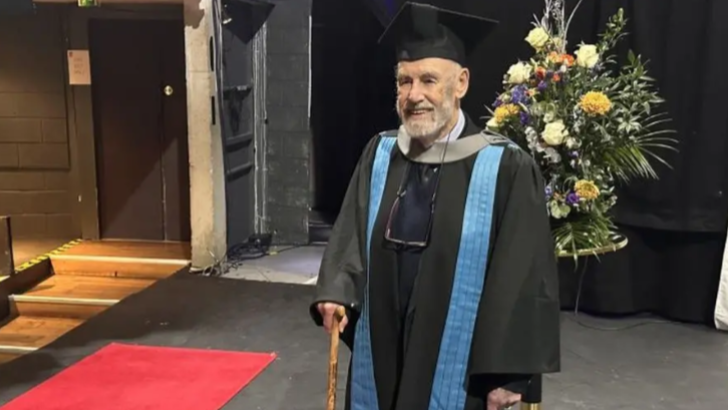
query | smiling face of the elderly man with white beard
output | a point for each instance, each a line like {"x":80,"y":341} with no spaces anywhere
{"x":428,"y":95}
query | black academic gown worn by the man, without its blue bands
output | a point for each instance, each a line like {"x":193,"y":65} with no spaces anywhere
{"x":517,"y":329}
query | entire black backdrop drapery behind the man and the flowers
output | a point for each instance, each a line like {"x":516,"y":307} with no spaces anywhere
{"x":676,"y":225}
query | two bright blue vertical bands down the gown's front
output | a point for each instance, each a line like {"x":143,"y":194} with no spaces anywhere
{"x":448,"y":389}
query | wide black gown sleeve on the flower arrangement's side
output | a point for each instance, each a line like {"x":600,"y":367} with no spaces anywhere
{"x":520,"y":300}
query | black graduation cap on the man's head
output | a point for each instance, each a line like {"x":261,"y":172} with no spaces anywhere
{"x":424,"y":31}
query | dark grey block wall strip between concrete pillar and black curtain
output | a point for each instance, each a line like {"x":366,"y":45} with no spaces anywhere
{"x":288,"y":133}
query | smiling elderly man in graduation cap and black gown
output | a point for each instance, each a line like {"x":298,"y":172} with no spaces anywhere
{"x":442,"y":253}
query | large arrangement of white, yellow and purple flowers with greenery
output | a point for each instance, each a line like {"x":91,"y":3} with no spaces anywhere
{"x":588,"y":123}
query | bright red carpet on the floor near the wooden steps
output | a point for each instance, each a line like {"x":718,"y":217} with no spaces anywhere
{"x":124,"y":377}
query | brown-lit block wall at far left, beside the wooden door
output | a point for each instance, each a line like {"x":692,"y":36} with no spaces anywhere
{"x":34,"y":146}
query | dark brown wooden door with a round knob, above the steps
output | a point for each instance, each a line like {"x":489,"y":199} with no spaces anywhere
{"x":140,"y":120}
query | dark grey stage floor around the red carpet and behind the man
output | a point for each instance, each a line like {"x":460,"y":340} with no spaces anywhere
{"x":662,"y":366}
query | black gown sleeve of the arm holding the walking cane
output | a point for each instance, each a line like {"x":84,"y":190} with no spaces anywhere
{"x":341,"y":277}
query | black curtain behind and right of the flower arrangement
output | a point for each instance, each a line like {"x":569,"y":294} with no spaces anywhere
{"x":676,"y":225}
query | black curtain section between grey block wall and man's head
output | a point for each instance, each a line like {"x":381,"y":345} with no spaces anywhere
{"x":352,"y":94}
